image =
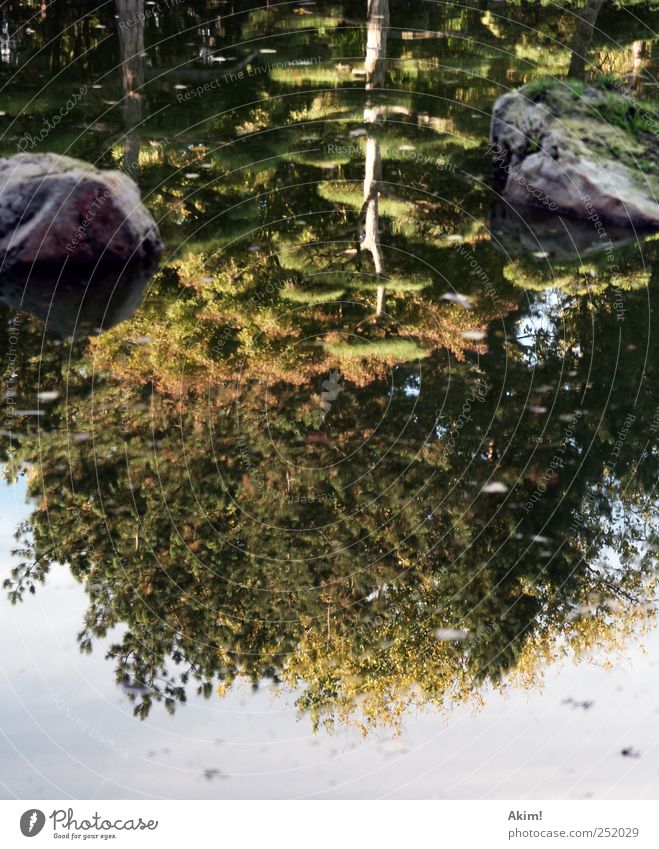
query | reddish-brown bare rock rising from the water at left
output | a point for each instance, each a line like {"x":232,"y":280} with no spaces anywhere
{"x":55,"y":208}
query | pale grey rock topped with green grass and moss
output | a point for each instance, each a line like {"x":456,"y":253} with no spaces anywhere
{"x":587,"y":152}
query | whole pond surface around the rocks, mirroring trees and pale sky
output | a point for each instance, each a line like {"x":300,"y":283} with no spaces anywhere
{"x":359,"y":410}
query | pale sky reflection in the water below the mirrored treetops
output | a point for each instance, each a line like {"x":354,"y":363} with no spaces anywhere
{"x":67,"y":731}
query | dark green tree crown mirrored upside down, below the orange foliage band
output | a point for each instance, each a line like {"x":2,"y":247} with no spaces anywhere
{"x":264,"y":554}
